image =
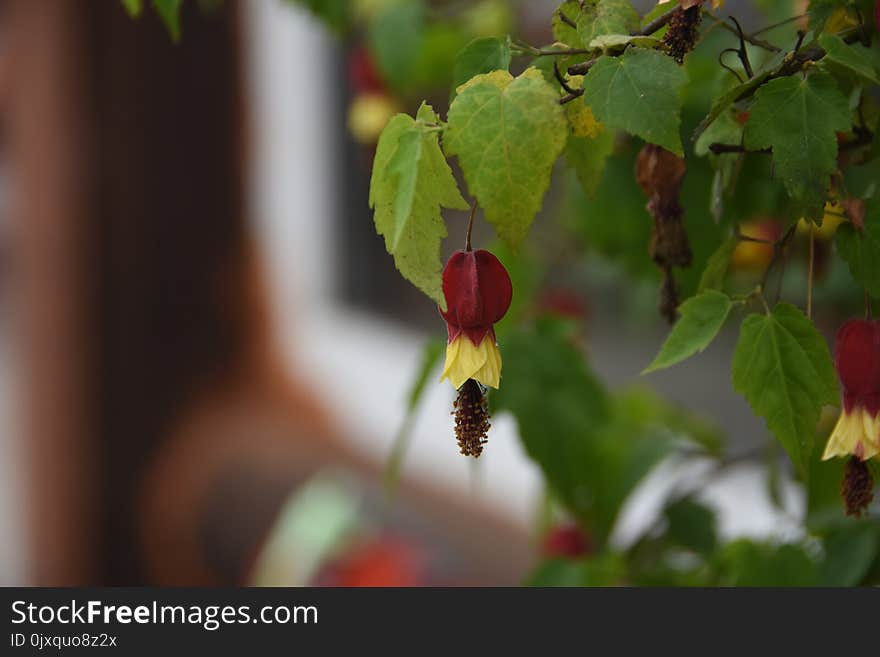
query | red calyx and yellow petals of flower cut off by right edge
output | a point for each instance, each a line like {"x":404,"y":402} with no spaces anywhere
{"x":857,"y":360}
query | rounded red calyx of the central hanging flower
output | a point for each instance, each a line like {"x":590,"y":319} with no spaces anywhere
{"x":477,"y":290}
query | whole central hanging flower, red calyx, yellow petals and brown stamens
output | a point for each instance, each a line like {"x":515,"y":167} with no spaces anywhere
{"x":478,"y":291}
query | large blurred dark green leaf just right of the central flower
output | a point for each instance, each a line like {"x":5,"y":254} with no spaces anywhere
{"x":593,"y":450}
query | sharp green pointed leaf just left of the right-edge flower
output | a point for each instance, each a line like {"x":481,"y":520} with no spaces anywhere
{"x":782,"y":366}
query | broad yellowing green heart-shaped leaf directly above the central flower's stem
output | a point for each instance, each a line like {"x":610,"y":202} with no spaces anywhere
{"x":507,"y":133}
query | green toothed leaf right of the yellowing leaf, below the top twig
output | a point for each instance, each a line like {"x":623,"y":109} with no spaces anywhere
{"x":639,"y":92}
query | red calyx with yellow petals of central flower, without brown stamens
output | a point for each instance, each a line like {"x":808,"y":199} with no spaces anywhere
{"x":478,"y":291}
